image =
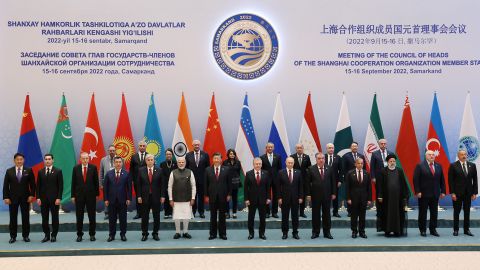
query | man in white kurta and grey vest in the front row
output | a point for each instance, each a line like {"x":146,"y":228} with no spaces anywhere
{"x":182,"y":191}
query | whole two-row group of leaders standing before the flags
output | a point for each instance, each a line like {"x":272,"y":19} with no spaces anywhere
{"x":185,"y":184}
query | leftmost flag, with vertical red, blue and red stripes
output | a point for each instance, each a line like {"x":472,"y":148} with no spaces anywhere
{"x":28,"y":143}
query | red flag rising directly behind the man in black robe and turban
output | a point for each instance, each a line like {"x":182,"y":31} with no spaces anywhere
{"x":407,"y":149}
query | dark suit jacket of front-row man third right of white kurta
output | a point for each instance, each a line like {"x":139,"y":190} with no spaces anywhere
{"x":290,"y":192}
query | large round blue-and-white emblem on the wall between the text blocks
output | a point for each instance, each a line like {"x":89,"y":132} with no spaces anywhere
{"x":245,"y":46}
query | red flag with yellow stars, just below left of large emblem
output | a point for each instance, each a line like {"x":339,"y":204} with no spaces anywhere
{"x":213,"y":135}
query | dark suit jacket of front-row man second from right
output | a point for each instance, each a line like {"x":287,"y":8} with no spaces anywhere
{"x":426,"y":183}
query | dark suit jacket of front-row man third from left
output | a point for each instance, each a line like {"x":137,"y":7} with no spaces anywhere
{"x":80,"y":188}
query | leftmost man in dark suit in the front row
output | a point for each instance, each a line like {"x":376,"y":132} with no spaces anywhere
{"x":18,"y":191}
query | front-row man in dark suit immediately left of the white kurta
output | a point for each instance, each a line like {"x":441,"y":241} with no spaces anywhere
{"x":150,"y":181}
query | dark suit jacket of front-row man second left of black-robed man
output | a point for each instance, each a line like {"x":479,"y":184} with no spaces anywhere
{"x":321,"y":189}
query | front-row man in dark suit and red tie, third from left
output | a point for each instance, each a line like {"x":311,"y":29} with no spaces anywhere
{"x":85,"y":190}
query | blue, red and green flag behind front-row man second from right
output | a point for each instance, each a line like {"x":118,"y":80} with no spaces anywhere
{"x":436,"y":139}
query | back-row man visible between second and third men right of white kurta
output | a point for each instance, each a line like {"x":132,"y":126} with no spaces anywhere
{"x":272,"y":163}
